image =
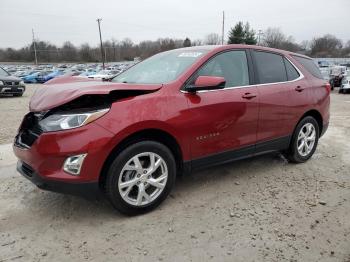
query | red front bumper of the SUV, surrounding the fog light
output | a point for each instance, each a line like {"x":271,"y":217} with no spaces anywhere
{"x":43,"y":161}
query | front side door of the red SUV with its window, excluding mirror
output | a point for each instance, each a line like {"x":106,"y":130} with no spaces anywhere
{"x":226,"y":119}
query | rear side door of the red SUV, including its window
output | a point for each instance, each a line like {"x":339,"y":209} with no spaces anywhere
{"x":280,"y":87}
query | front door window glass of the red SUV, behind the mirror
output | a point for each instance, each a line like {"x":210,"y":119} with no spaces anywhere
{"x":231,"y":65}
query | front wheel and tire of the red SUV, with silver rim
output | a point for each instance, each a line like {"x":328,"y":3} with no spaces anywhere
{"x":125,"y":168}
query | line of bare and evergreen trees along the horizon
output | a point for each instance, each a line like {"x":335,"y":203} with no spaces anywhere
{"x":125,"y":50}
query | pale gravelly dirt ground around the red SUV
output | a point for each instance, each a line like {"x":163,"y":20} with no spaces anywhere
{"x":260,"y":209}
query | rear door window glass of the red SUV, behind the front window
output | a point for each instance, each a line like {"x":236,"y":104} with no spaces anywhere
{"x":270,"y":67}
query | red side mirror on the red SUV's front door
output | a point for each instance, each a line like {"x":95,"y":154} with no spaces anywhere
{"x":207,"y":83}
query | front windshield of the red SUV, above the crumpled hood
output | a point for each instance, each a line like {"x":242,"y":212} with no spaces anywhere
{"x":161,"y":68}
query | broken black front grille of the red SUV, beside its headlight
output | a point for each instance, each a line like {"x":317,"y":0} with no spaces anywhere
{"x":29,"y":131}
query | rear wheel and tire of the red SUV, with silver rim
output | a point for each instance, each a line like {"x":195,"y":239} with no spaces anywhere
{"x":300,"y":156}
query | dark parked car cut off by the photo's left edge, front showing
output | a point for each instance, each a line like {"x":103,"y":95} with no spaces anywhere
{"x":10,"y":85}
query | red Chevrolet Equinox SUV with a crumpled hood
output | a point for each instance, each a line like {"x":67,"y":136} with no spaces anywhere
{"x":170,"y":114}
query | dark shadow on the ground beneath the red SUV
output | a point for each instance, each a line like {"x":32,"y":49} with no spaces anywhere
{"x":58,"y":206}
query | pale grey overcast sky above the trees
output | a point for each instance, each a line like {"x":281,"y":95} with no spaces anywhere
{"x":75,"y":20}
